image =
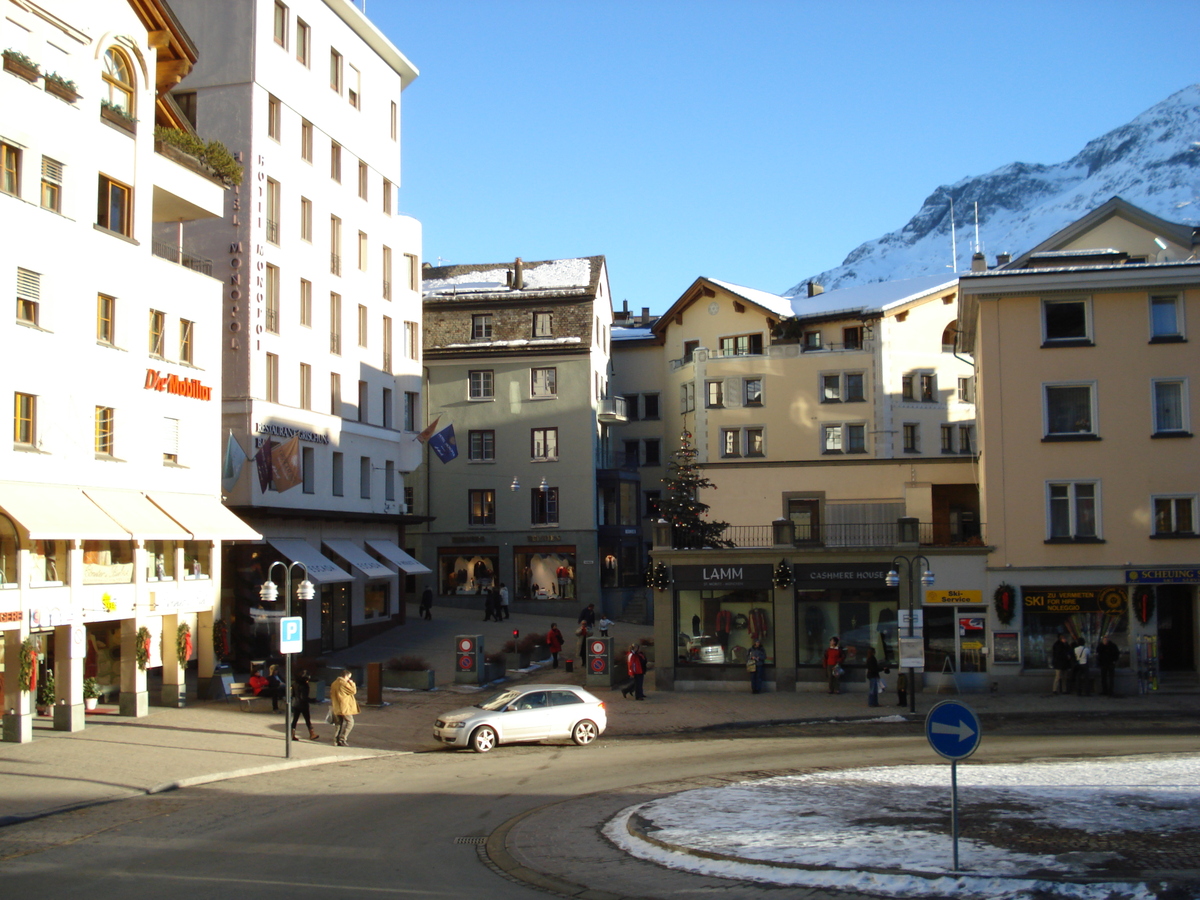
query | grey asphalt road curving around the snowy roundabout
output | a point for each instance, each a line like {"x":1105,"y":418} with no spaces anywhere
{"x":410,"y":826}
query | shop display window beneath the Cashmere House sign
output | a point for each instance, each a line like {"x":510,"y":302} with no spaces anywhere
{"x":860,"y":620}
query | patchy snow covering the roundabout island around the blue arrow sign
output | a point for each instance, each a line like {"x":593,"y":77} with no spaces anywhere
{"x":850,"y":825}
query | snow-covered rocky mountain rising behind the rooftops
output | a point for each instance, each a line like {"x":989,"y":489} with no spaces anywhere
{"x":1153,"y":163}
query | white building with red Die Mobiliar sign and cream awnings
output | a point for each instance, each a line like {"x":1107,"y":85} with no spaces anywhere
{"x":111,"y":520}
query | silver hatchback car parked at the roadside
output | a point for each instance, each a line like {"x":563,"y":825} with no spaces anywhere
{"x":541,"y":712}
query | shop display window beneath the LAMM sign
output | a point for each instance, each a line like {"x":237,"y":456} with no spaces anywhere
{"x":718,"y":627}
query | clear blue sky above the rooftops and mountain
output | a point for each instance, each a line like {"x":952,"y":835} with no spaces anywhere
{"x":752,"y":141}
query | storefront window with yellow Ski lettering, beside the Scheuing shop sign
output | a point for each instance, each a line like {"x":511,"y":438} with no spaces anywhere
{"x":1087,"y":614}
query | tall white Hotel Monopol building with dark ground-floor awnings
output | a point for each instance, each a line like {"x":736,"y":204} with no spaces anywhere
{"x":322,"y":310}
